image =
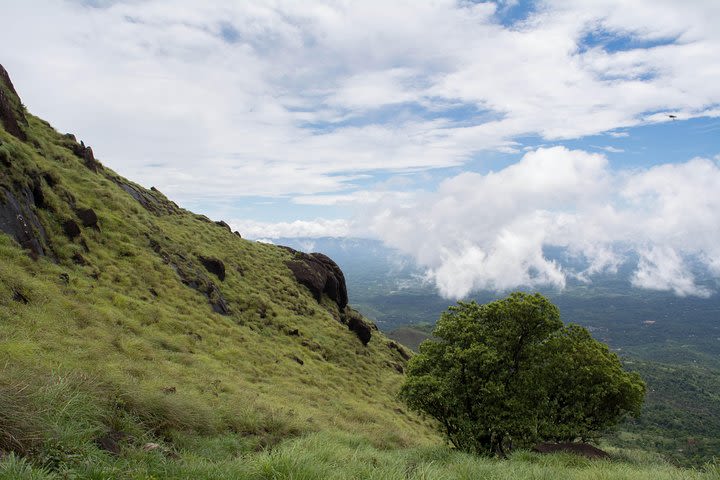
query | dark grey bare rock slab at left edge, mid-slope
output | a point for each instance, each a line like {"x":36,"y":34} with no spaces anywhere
{"x":18,"y":220}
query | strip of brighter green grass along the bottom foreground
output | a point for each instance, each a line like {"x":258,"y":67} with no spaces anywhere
{"x":338,"y":455}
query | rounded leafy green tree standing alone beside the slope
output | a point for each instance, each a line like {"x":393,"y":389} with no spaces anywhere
{"x":509,"y":373}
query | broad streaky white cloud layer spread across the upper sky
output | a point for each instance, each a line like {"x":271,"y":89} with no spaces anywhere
{"x":274,"y":98}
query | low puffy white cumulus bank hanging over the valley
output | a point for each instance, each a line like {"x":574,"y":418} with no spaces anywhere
{"x":490,"y":231}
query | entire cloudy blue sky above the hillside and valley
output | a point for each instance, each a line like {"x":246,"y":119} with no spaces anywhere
{"x":472,"y":136}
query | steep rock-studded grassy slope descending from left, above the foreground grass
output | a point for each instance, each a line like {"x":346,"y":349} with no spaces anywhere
{"x":165,"y":321}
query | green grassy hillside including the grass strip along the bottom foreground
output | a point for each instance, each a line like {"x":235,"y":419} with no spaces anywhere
{"x":125,"y":352}
